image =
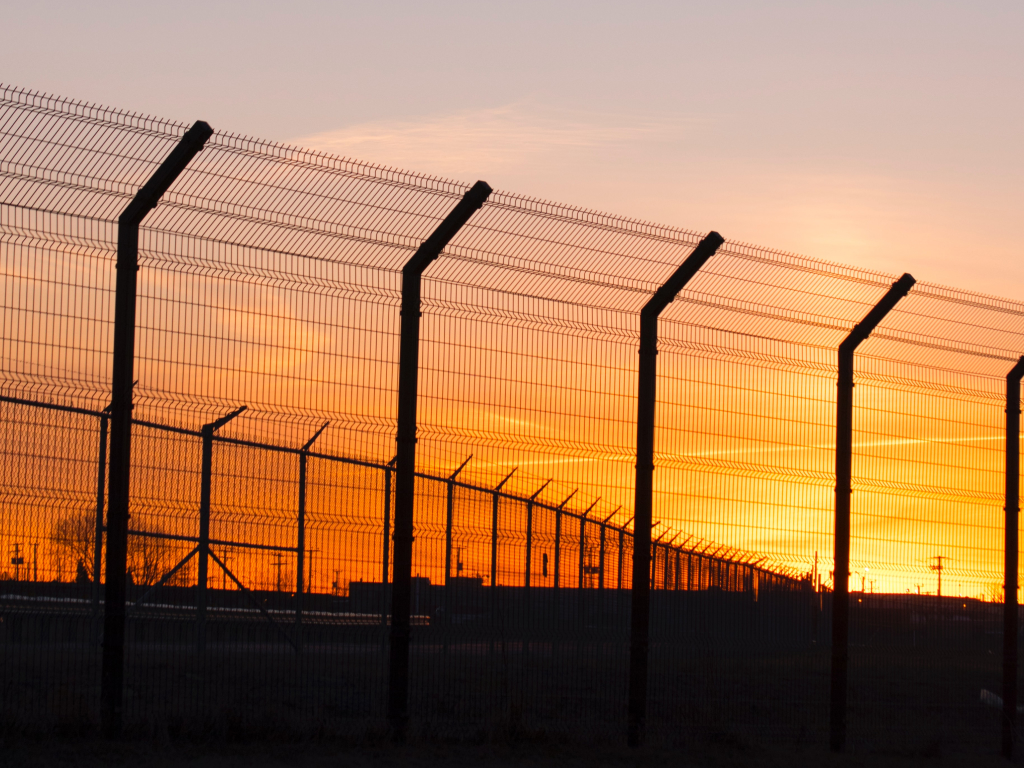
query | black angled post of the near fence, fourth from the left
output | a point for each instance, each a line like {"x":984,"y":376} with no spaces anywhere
{"x":844,"y":490}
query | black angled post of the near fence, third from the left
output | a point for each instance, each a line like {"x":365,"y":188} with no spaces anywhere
{"x":641,"y":606}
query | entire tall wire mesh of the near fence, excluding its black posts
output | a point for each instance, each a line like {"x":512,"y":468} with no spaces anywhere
{"x":271,"y":279}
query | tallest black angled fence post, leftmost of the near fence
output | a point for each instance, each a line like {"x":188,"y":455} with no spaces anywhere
{"x":112,"y":676}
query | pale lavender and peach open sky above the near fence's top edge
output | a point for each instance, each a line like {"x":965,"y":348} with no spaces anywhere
{"x":883,"y":135}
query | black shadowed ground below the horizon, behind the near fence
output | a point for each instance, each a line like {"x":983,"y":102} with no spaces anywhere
{"x":735,"y":684}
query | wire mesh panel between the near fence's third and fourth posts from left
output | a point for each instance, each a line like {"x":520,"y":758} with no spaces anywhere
{"x":744,"y":454}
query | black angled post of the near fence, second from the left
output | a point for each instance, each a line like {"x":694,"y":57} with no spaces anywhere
{"x":406,"y":473}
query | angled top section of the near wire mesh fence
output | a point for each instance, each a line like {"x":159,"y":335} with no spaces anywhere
{"x":244,"y":195}
